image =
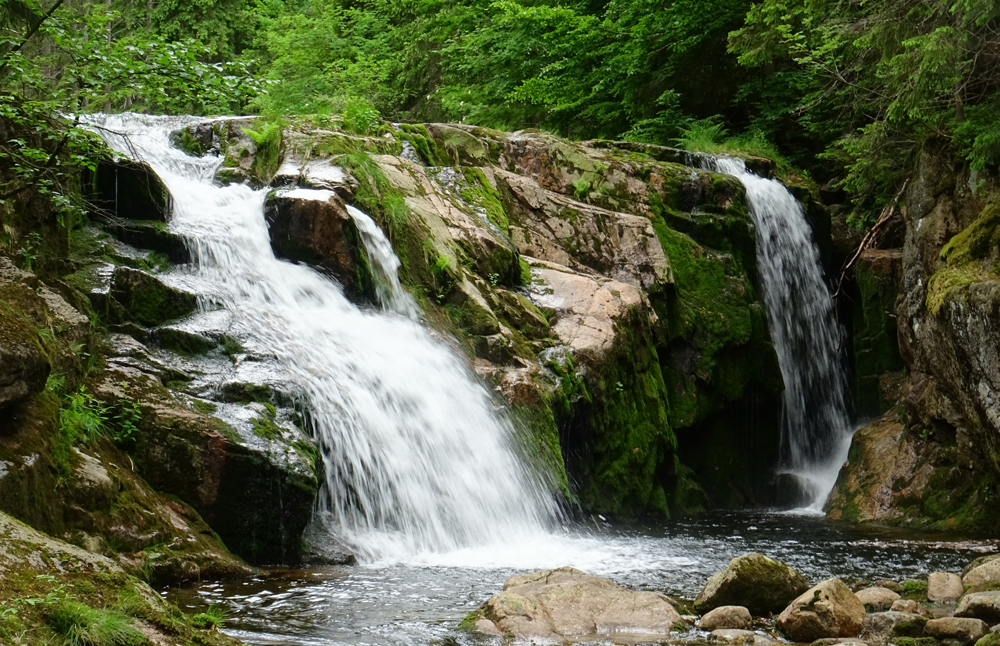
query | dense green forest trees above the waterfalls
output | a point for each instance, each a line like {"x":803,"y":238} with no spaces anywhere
{"x":847,"y":92}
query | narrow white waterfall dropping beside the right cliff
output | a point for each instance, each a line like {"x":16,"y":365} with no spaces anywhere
{"x":816,"y":426}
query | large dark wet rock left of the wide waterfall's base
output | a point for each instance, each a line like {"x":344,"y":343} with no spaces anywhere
{"x":256,"y":492}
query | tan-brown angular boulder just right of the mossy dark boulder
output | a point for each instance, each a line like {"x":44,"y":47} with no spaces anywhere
{"x":828,"y":609}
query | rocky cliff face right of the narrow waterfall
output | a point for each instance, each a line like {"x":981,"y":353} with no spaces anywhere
{"x":926,"y":333}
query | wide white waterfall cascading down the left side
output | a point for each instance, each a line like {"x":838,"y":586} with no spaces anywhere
{"x":416,"y":458}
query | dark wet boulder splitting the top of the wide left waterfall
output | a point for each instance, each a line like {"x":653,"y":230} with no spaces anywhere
{"x":314,"y":226}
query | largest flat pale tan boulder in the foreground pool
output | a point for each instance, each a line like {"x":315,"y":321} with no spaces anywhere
{"x":567,"y":605}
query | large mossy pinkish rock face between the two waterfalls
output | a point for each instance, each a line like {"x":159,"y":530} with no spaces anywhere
{"x":605,"y":290}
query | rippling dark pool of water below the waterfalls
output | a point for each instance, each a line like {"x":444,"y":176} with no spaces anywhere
{"x":420,"y":602}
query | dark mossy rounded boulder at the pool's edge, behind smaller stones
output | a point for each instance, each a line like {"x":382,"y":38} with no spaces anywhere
{"x":758,"y":583}
